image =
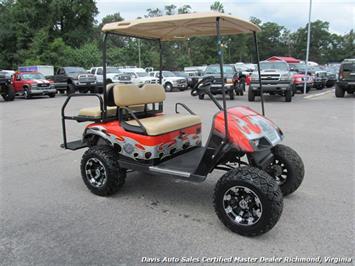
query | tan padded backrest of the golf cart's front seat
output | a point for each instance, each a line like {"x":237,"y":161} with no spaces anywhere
{"x":130,"y":94}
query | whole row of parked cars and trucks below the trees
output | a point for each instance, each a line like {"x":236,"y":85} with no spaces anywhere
{"x":278,"y":78}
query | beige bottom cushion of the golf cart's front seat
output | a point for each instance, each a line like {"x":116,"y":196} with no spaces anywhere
{"x":161,"y":124}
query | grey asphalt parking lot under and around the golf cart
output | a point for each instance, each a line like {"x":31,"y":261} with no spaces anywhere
{"x":48,"y":216}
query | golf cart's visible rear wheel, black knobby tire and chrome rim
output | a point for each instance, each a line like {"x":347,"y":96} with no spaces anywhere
{"x":101,"y":172}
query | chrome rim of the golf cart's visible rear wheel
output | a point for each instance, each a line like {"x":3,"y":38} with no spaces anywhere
{"x":95,"y":172}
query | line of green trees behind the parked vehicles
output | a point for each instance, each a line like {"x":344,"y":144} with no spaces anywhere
{"x":64,"y":32}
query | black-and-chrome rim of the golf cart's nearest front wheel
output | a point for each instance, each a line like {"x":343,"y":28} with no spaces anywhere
{"x":242,"y":205}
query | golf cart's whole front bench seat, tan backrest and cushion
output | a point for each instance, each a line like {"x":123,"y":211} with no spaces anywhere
{"x":127,"y":95}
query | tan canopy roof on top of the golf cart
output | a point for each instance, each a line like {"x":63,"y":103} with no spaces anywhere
{"x":181,"y":26}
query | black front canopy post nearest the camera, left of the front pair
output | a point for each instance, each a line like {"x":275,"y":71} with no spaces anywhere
{"x":220,"y":57}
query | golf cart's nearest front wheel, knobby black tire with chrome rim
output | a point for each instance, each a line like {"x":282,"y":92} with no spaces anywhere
{"x":248,"y":201}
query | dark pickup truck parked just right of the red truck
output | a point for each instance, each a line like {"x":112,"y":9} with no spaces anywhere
{"x":72,"y":79}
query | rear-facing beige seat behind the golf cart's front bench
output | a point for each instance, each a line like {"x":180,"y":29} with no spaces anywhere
{"x":95,"y":112}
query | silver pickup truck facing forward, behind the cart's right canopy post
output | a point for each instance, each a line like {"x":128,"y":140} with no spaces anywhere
{"x":276,"y":79}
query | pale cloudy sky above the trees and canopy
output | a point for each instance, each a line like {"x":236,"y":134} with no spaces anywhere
{"x":291,"y":14}
